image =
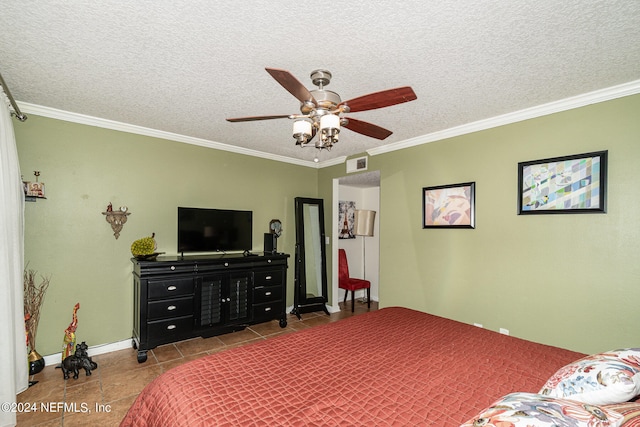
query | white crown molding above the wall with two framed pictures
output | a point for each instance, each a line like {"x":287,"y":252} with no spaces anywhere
{"x":602,"y":95}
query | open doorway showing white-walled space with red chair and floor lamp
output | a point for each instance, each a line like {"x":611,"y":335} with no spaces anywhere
{"x":362,"y":191}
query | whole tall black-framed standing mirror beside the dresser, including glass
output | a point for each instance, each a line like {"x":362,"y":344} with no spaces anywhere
{"x":310,"y":291}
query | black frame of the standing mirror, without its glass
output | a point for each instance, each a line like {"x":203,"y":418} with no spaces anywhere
{"x":302,"y":303}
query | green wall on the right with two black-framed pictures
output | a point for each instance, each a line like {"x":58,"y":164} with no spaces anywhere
{"x":571,"y":281}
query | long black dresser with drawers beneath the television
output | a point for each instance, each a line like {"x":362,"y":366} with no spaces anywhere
{"x":178,"y":298}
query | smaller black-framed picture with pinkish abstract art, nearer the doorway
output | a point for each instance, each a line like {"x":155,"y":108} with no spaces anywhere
{"x":449,"y":206}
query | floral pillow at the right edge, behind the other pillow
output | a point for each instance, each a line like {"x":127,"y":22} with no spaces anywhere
{"x":599,"y":379}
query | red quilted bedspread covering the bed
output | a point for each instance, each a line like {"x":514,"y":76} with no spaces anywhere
{"x":394,"y":366}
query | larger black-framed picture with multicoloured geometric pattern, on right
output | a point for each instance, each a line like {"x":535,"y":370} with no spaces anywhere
{"x":569,"y":184}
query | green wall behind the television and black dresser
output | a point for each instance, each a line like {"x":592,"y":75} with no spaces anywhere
{"x":85,"y":168}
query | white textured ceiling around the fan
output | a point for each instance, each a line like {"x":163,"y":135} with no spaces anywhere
{"x":183,"y":67}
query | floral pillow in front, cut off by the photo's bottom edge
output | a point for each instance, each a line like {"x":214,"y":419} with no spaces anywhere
{"x":529,"y":409}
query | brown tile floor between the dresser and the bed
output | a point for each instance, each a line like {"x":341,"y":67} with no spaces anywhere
{"x":104,"y":397}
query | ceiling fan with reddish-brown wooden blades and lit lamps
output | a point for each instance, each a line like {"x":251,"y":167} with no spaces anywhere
{"x":322,"y":110}
